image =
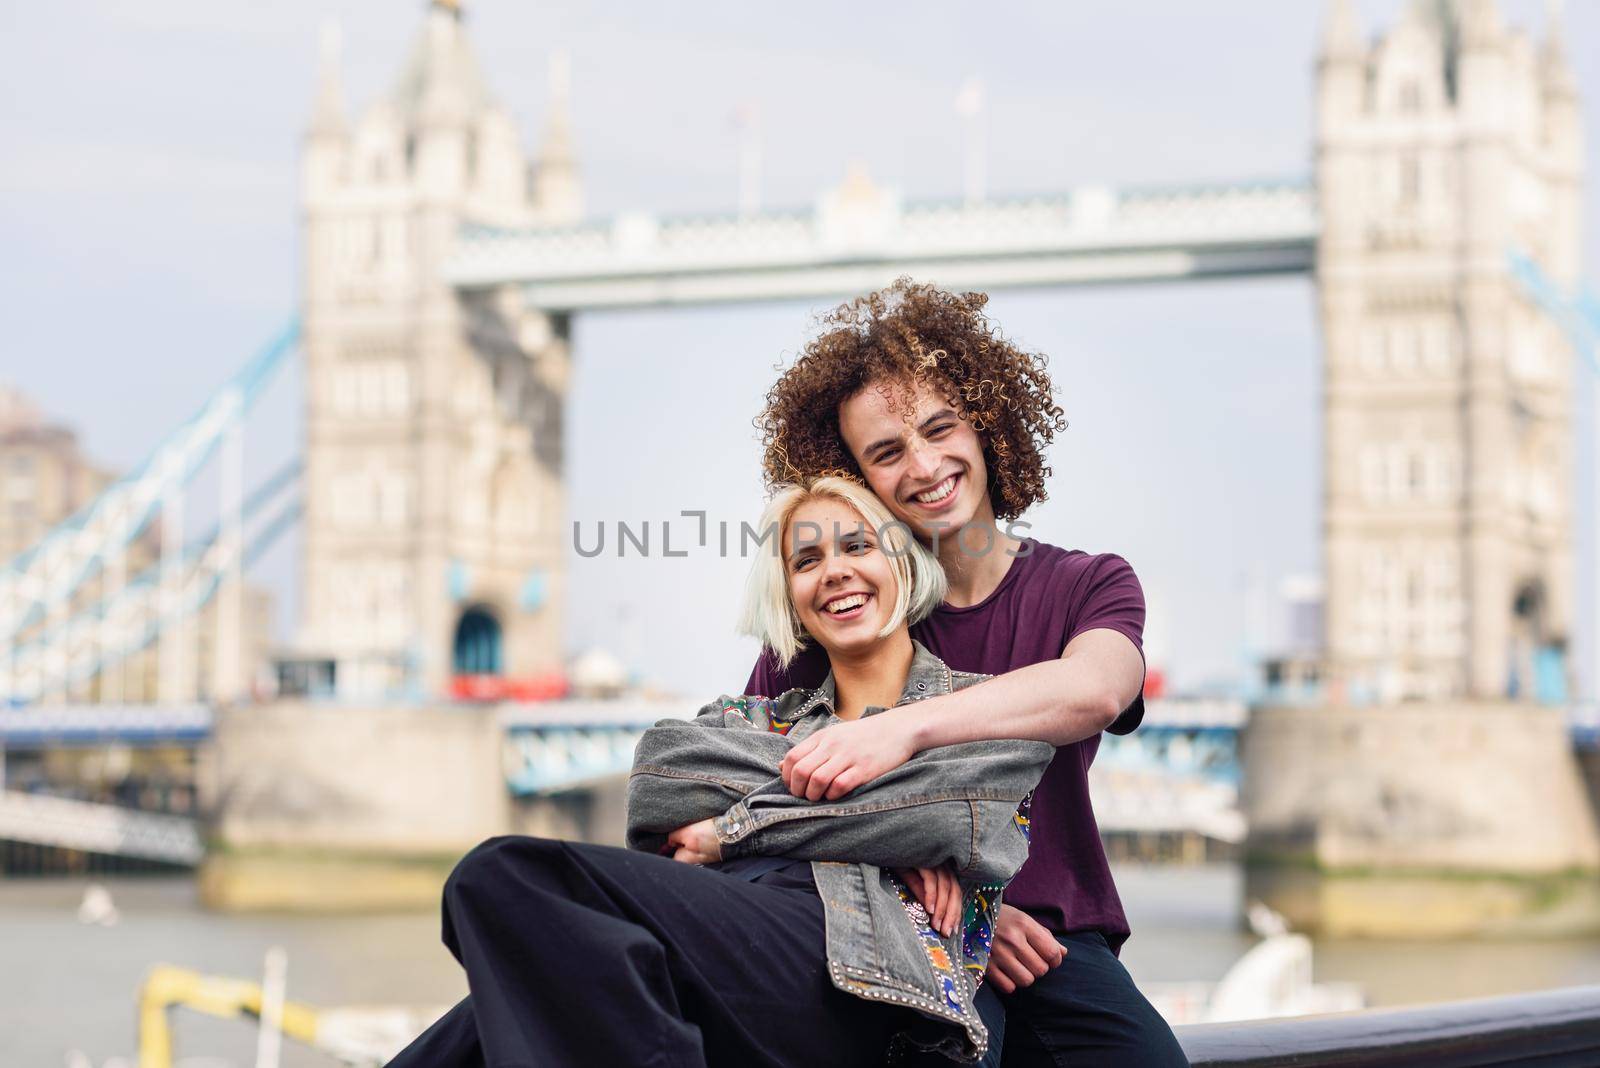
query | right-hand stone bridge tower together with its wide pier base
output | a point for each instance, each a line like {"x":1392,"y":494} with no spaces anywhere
{"x":1433,"y":794}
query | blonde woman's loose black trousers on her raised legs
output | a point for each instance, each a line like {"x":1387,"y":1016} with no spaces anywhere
{"x":586,"y":955}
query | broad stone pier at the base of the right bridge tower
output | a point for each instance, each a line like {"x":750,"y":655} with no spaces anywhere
{"x":1420,"y":821}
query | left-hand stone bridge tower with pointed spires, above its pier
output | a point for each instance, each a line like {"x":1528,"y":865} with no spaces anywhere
{"x":433,"y":421}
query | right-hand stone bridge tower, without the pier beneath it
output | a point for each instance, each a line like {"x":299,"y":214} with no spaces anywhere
{"x":1447,"y":452}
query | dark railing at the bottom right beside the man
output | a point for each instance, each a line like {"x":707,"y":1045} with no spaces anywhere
{"x":1559,"y":1027}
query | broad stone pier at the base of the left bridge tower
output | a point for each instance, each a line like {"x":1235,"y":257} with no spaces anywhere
{"x":327,"y":808}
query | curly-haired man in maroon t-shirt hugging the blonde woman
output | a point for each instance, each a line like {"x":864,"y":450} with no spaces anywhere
{"x":918,"y":394}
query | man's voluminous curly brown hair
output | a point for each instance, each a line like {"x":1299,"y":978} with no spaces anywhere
{"x":908,"y":335}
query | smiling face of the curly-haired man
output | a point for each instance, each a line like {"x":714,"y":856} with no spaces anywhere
{"x":929,"y":469}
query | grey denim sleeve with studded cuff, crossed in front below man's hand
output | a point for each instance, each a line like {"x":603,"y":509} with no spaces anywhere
{"x":956,"y":805}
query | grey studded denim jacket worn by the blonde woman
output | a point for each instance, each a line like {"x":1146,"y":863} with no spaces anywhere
{"x":958,"y":803}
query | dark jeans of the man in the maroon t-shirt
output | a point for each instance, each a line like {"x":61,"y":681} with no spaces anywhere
{"x":1087,"y":1013}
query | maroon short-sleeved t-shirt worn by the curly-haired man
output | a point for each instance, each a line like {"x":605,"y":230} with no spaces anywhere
{"x":1046,"y":599}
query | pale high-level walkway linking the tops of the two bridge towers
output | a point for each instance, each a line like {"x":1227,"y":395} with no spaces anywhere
{"x":858,"y":237}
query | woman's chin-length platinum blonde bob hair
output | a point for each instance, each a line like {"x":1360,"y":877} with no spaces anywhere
{"x":770,"y":616}
